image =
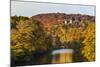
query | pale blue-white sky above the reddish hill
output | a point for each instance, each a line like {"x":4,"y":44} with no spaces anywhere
{"x":29,"y":9}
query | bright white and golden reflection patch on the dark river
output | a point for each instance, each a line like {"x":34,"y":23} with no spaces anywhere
{"x":62,"y":56}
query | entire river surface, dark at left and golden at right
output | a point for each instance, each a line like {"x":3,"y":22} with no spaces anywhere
{"x":49,"y":57}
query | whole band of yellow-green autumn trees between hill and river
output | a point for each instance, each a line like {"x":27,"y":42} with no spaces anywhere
{"x":29,"y":36}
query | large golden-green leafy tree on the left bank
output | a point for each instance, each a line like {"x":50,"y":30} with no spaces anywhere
{"x":27,"y":38}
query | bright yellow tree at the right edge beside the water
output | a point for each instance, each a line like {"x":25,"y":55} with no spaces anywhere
{"x":88,"y":49}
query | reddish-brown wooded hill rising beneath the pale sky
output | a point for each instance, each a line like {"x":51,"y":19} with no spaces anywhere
{"x":56,"y":18}
